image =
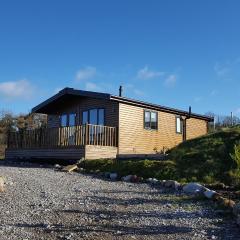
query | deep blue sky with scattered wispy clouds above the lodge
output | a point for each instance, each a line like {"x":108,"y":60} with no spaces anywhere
{"x":174,"y":53}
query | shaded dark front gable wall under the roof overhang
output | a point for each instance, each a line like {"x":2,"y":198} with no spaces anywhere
{"x":81,"y":104}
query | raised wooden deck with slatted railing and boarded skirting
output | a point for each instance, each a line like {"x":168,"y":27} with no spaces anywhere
{"x":83,"y":141}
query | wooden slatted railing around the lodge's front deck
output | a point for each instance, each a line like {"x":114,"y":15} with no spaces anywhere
{"x":80,"y":135}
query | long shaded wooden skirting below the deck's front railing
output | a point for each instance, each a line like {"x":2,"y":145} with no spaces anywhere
{"x":61,"y":153}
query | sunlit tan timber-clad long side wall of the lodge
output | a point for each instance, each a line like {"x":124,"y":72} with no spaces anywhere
{"x":134,"y":139}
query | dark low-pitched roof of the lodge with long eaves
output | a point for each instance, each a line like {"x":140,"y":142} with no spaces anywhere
{"x":70,"y":92}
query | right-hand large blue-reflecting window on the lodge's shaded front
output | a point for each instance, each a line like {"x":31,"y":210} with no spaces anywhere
{"x":93,"y":116}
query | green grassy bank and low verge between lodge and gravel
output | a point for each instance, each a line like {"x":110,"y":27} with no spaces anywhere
{"x":208,"y":159}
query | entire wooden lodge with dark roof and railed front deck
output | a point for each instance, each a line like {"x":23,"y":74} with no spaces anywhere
{"x":91,"y":125}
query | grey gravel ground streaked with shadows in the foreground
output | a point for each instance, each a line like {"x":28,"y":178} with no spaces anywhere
{"x":41,"y":203}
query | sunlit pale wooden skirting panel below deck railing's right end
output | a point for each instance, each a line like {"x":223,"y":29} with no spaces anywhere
{"x":100,"y":152}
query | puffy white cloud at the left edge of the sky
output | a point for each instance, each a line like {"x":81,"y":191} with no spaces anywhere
{"x":20,"y":89}
